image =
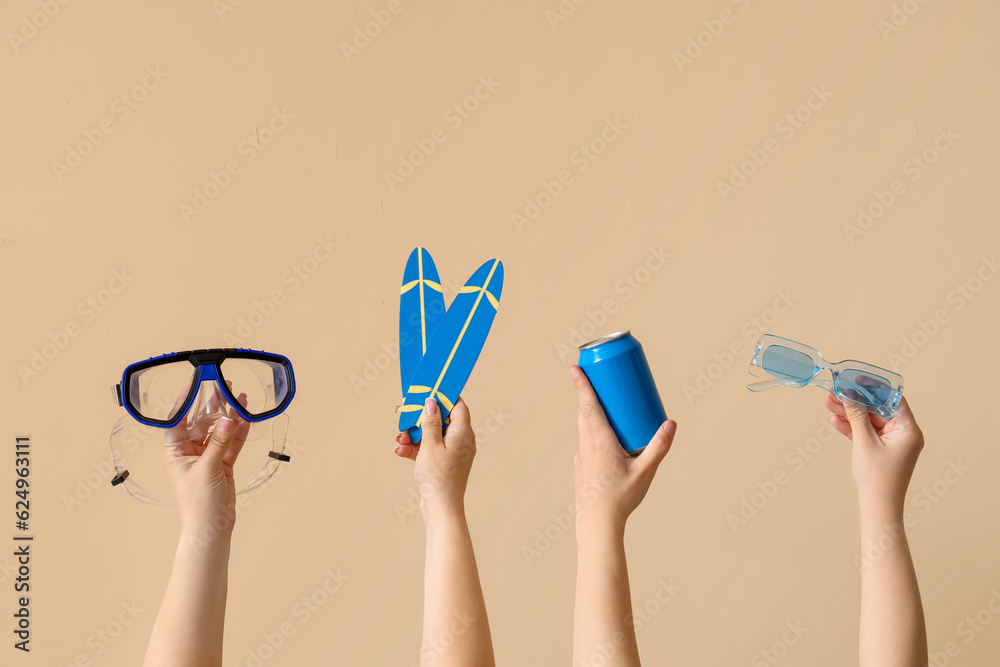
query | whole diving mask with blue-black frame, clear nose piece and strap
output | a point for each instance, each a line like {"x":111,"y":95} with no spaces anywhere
{"x":180,"y":397}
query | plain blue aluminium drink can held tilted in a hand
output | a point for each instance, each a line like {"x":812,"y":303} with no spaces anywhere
{"x":620,"y":375}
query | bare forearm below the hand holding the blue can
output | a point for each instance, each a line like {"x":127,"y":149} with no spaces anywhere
{"x":602,"y":618}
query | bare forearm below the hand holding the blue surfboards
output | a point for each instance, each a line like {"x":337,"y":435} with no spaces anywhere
{"x":456,"y":628}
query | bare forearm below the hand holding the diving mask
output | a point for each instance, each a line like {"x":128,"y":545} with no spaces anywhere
{"x":189,"y":627}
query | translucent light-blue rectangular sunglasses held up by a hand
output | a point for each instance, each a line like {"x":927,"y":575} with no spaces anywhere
{"x":787,"y":363}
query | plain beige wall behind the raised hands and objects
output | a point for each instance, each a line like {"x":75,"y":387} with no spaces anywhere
{"x":337,"y":504}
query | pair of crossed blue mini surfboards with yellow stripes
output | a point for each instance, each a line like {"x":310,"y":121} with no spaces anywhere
{"x":439,"y":346}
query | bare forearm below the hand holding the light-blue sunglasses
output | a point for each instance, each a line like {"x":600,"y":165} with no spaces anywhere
{"x":892,"y":618}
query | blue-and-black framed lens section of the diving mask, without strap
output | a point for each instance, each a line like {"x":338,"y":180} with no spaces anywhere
{"x":160,"y":391}
